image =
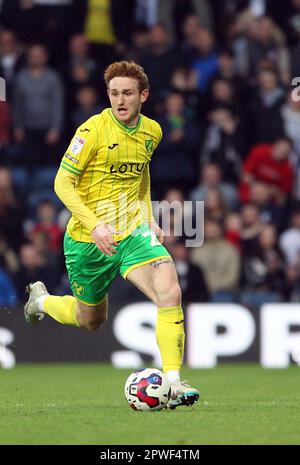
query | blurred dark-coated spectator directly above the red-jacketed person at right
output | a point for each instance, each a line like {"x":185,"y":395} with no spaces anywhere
{"x":265,"y":109}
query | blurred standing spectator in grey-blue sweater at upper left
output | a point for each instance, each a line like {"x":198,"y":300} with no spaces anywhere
{"x":38,"y":108}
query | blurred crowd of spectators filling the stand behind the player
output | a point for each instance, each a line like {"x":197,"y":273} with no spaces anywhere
{"x":225,"y":87}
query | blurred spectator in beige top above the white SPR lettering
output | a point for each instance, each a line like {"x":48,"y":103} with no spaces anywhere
{"x":220,"y":262}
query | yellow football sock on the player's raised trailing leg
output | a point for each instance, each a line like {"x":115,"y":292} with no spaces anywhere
{"x":62,"y":309}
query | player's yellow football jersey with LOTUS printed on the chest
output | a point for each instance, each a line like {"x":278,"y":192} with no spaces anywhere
{"x":111,"y":162}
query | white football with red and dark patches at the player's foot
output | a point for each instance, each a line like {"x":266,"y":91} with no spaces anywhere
{"x":147,"y":389}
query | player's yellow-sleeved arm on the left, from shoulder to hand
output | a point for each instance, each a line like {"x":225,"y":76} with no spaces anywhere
{"x":80,"y":151}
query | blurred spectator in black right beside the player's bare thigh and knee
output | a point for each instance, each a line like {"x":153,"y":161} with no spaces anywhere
{"x":191,"y":277}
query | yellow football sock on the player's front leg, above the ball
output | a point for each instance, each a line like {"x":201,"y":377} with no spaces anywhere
{"x":170,"y":336}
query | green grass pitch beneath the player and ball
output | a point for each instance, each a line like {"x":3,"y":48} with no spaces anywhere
{"x":85,"y":404}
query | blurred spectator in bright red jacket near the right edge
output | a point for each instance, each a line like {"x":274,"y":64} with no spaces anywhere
{"x":268,"y":164}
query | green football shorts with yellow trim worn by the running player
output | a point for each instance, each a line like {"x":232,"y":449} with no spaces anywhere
{"x":91,"y":272}
